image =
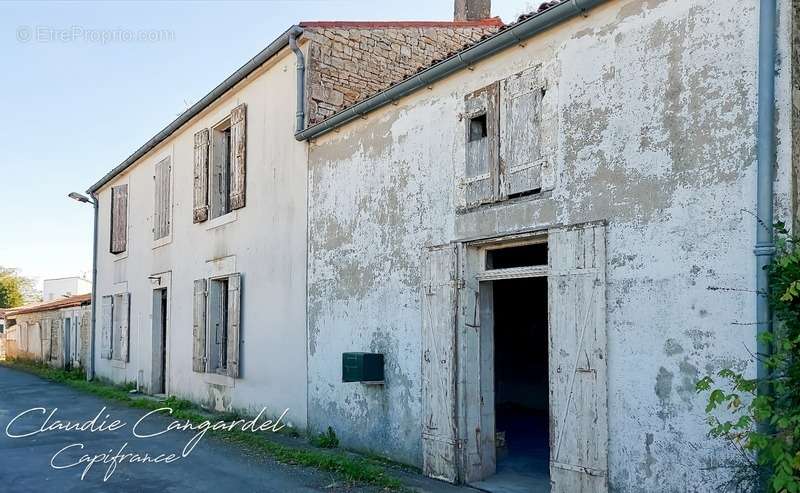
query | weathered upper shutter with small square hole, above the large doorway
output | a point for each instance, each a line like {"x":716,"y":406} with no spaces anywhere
{"x":479,"y":183}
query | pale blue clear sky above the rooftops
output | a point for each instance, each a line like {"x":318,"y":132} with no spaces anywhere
{"x":76,"y":105}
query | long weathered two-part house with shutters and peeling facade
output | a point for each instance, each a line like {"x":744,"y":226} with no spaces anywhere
{"x":503,"y":266}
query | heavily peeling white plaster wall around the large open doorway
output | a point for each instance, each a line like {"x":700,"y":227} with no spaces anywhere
{"x":656,"y":123}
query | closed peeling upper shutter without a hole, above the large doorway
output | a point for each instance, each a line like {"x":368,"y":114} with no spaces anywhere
{"x":521,"y":137}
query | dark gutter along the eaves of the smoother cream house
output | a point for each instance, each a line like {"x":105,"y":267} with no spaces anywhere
{"x":281,"y":42}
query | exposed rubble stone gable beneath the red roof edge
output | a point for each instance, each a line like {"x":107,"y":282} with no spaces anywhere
{"x":348,"y":63}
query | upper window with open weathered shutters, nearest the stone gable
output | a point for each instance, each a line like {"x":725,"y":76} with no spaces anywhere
{"x":220,"y":166}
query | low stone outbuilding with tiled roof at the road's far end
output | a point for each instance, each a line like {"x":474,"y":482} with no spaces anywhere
{"x":55,"y":332}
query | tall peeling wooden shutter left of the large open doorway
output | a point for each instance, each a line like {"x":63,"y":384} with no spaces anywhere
{"x":439,"y":300}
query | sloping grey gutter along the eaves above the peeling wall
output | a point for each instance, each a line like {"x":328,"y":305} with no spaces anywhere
{"x":506,"y":38}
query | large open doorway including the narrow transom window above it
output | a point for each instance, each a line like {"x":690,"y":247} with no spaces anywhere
{"x":515,"y":321}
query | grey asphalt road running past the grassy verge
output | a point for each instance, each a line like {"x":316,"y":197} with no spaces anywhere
{"x":25,"y":462}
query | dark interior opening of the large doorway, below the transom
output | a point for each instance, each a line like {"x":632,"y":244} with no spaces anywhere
{"x":521,"y":382}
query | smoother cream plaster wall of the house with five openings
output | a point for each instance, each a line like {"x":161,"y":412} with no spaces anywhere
{"x":266,"y":243}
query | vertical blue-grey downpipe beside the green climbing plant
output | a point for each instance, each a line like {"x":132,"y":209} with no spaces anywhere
{"x":765,"y":142}
